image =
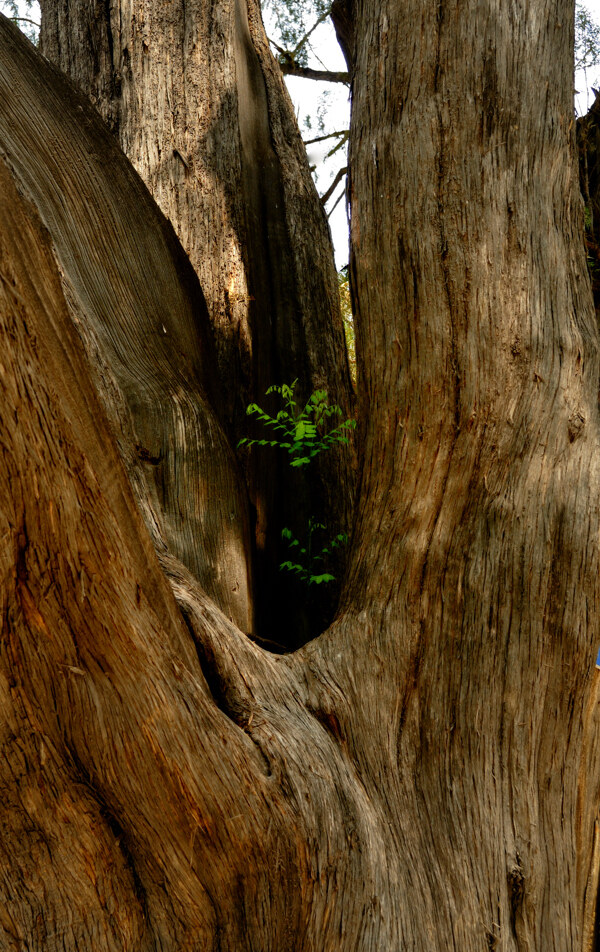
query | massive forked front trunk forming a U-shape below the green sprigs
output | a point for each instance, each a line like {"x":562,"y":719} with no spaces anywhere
{"x":425,"y":774}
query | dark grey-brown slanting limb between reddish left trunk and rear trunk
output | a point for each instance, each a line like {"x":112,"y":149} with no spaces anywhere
{"x":142,"y":316}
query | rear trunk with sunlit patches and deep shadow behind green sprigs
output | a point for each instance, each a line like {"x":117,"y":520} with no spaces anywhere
{"x":200,"y":108}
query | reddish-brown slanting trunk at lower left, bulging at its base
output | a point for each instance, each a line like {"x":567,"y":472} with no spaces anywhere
{"x":211,"y":812}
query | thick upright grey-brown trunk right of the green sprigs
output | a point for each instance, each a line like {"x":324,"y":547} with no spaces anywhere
{"x":478,"y":373}
